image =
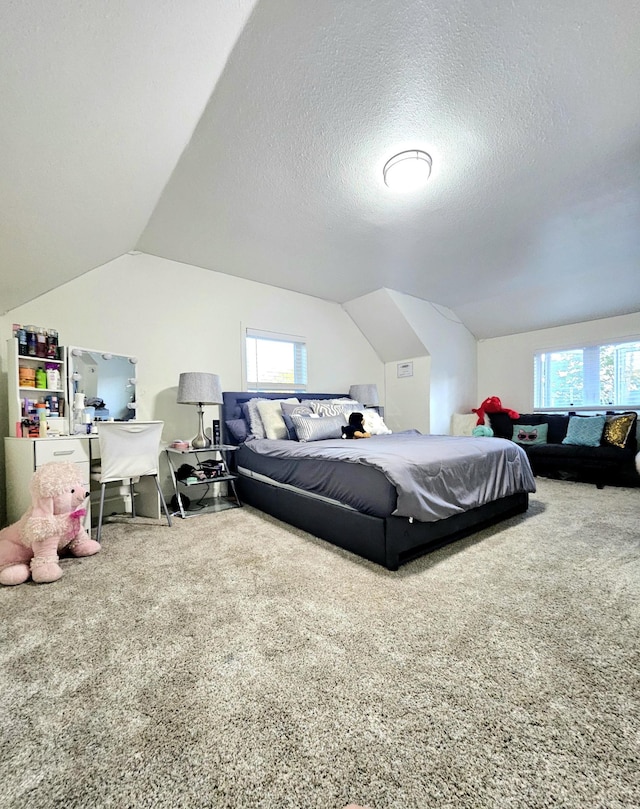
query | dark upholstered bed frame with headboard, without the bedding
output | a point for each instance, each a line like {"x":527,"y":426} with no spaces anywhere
{"x":388,"y":541}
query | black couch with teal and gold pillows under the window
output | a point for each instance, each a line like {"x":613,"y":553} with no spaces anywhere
{"x":543,"y":436}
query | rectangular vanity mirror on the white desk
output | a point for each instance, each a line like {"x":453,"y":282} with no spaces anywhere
{"x":102,"y":386}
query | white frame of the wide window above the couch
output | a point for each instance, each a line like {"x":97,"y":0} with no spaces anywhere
{"x":591,"y":351}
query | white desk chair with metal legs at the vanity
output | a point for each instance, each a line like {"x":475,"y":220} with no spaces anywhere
{"x":128,"y":450}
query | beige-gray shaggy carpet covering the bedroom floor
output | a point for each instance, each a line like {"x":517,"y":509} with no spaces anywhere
{"x":232,"y":661}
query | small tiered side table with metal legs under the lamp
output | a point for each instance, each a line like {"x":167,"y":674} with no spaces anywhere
{"x":212,"y":466}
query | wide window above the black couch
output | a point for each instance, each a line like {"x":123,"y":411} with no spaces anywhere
{"x":591,"y":376}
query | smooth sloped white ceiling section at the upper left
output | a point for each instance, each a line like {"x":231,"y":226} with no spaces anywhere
{"x":98,"y":101}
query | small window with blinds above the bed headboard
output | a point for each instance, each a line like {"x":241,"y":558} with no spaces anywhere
{"x":275,"y":362}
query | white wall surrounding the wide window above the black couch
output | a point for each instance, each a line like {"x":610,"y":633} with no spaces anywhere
{"x":505,"y":364}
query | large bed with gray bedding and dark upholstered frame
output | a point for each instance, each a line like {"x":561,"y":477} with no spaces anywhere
{"x":388,"y":498}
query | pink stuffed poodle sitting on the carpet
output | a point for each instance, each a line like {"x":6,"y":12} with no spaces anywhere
{"x":30,"y":546}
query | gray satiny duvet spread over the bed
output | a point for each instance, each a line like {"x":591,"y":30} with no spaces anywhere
{"x":435,"y":476}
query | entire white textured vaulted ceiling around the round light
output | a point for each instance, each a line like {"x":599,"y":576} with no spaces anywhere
{"x":249,"y":137}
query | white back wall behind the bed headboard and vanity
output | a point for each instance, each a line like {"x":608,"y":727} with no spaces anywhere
{"x":175,"y":318}
